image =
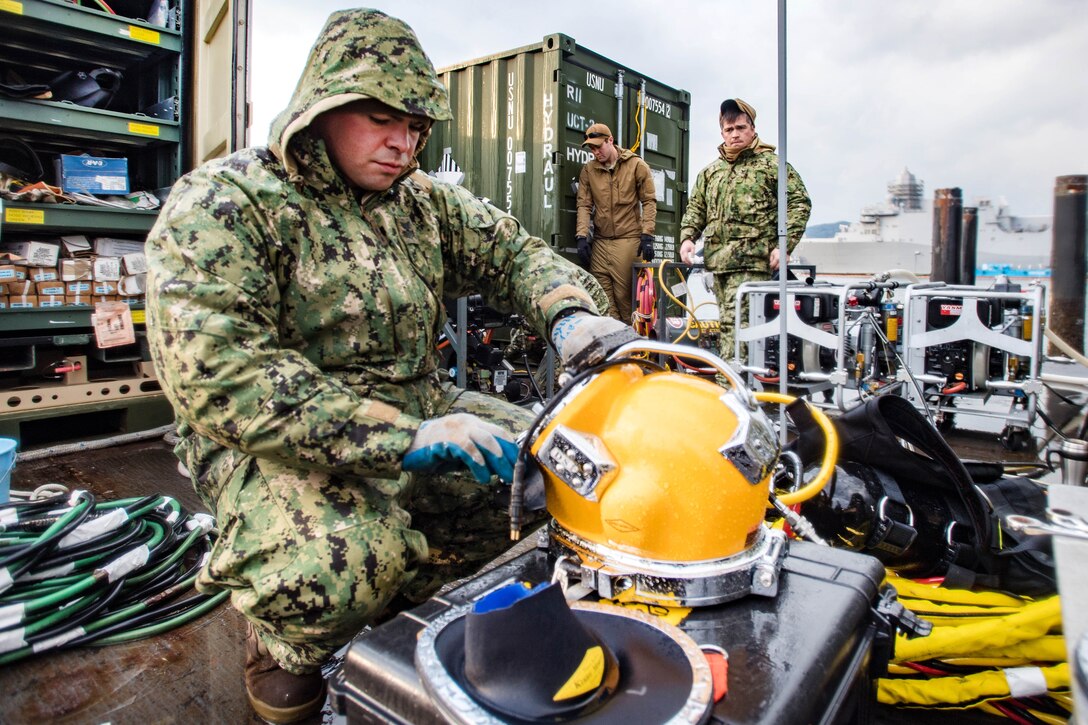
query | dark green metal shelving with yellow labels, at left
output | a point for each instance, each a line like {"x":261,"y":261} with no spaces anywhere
{"x":144,"y":124}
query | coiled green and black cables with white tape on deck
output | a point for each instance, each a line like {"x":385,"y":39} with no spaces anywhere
{"x":98,"y":573}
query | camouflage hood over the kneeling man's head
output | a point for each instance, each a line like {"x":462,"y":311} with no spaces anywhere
{"x":361,"y":54}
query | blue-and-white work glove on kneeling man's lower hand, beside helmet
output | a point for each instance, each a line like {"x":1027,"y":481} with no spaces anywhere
{"x":463,"y":440}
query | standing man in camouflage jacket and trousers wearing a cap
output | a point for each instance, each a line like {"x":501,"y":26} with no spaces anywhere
{"x":735,"y":207}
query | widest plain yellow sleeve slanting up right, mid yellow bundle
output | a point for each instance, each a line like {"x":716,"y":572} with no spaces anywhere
{"x":1031,"y":623}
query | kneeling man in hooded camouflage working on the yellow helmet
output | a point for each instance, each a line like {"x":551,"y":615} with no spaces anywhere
{"x":294,"y":302}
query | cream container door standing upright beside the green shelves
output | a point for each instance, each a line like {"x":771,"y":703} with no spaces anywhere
{"x":220,"y":89}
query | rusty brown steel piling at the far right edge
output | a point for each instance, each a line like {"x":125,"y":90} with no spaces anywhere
{"x":1068,"y":262}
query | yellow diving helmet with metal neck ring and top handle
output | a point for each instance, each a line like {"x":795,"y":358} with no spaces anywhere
{"x":659,"y":483}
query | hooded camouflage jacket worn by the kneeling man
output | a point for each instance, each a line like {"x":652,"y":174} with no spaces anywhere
{"x":294,"y":321}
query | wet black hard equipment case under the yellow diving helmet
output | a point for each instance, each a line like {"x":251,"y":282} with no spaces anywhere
{"x":811,"y":655}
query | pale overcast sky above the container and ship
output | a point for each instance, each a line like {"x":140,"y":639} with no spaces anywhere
{"x":991,"y":96}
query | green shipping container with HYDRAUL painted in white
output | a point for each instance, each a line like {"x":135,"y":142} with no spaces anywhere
{"x":520,"y":119}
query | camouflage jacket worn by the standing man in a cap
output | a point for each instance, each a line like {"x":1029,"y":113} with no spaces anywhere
{"x":735,"y":207}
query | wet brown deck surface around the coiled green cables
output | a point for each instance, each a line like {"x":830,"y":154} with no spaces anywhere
{"x":192,"y":674}
